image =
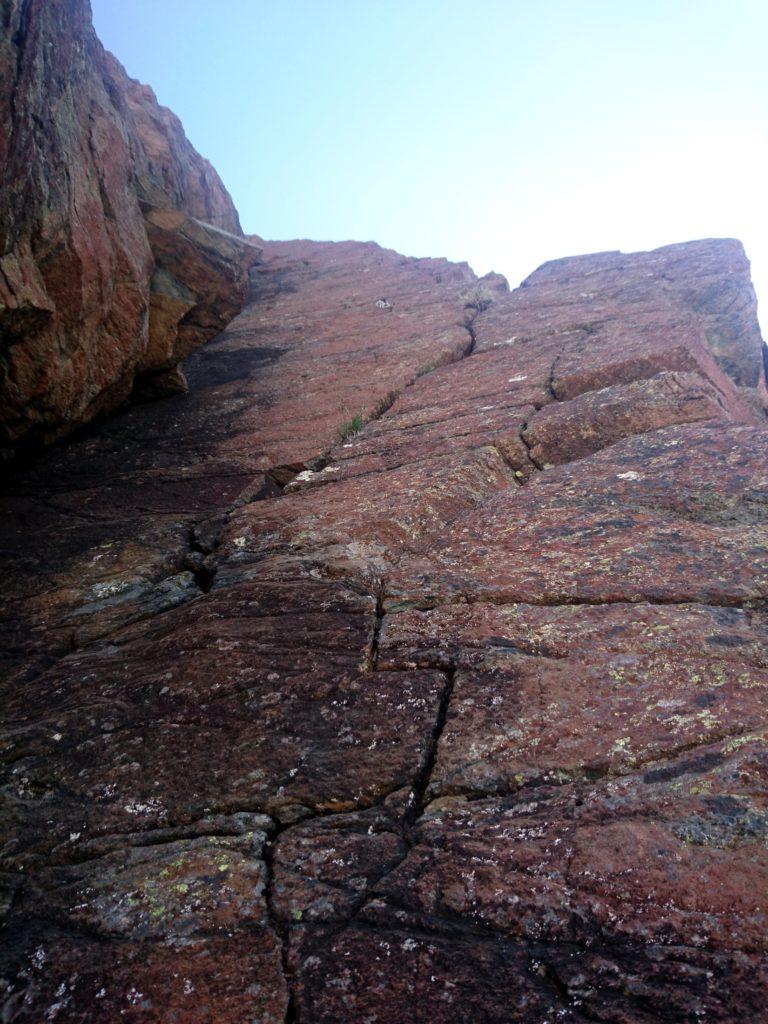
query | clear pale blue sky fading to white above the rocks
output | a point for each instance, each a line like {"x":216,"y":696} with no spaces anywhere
{"x":502,"y":133}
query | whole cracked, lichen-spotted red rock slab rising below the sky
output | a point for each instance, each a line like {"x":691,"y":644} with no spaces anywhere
{"x":410,"y":667}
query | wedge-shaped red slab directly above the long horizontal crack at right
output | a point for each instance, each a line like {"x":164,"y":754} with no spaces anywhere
{"x":674,"y":516}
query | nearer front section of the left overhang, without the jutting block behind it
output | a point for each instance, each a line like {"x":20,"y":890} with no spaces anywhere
{"x":74,"y":274}
